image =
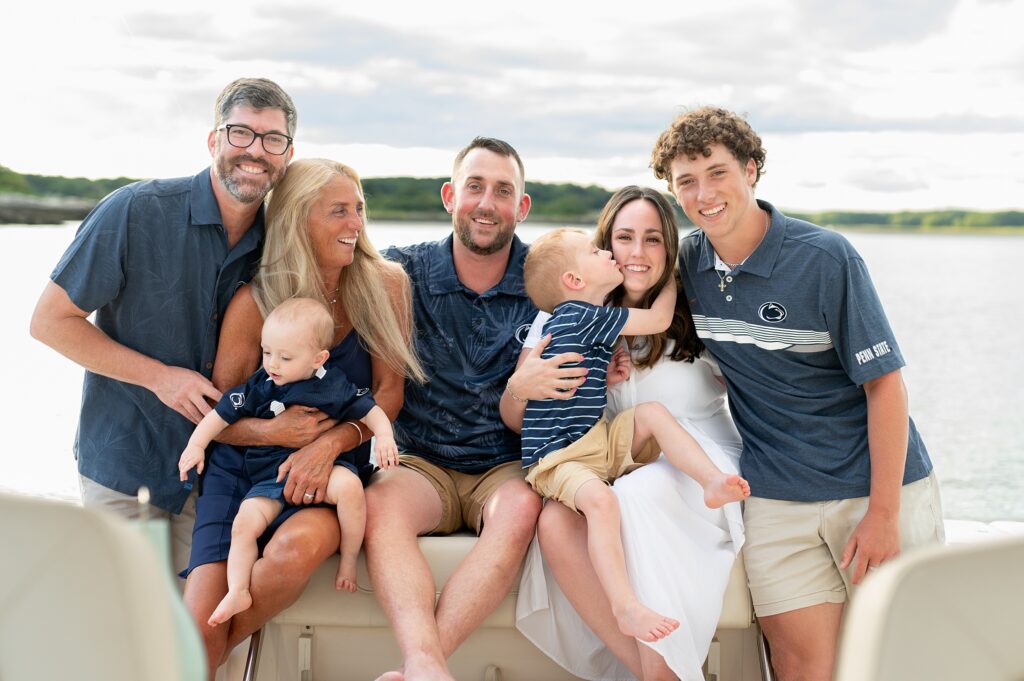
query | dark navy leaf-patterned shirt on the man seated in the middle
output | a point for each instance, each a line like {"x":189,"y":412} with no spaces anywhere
{"x":470,"y":345}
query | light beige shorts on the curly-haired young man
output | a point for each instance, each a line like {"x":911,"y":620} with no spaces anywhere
{"x":794,"y":549}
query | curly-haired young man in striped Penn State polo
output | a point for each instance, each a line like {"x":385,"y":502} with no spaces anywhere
{"x":840,"y":479}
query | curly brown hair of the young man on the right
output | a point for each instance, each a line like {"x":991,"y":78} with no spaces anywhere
{"x":695,"y":132}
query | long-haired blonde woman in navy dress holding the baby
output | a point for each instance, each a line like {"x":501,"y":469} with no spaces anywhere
{"x":316,"y":248}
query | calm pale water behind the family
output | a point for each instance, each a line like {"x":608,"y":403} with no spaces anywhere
{"x":949,"y":299}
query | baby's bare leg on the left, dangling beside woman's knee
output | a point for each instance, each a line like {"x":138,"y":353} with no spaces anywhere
{"x":255,"y":516}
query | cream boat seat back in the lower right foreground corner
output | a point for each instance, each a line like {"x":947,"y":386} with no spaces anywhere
{"x":943,"y":614}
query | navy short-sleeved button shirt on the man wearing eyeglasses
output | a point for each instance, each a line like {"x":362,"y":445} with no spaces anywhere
{"x":152,"y":260}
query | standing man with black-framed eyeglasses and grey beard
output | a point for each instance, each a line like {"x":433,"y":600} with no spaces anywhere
{"x":158,"y":262}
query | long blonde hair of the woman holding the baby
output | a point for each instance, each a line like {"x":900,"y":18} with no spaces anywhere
{"x":288,"y":269}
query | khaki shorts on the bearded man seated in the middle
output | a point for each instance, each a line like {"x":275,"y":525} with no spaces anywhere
{"x":463,"y":495}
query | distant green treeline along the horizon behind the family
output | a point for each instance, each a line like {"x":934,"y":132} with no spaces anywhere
{"x":419,"y":199}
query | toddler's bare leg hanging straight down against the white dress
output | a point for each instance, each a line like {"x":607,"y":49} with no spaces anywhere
{"x":596,"y":501}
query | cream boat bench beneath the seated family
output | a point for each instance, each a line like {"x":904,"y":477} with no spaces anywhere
{"x":349,"y":632}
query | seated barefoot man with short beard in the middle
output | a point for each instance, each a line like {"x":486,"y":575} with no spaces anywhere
{"x":460,"y":466}
